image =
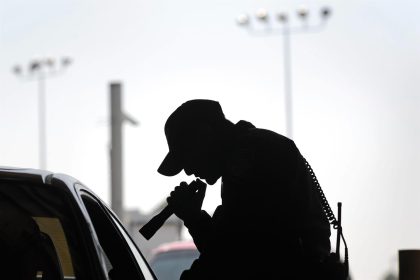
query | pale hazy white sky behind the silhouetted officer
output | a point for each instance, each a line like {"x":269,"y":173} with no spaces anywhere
{"x":355,"y":87}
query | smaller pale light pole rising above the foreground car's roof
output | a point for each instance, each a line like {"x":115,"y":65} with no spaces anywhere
{"x":40,"y":70}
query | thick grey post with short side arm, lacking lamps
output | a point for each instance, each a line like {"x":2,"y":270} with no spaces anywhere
{"x":116,"y":152}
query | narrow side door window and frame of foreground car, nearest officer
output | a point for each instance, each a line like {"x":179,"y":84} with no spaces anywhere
{"x":122,"y":258}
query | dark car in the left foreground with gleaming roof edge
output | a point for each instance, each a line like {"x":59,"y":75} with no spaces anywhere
{"x":54,"y":227}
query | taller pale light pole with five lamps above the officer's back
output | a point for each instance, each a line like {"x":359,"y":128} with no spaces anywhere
{"x":281,"y":25}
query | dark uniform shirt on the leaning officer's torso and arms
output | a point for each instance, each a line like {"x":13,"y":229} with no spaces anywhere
{"x":270,"y":218}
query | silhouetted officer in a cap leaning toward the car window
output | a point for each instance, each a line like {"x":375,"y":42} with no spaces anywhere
{"x":270,"y":224}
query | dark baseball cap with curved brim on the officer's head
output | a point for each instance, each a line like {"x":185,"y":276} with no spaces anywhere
{"x":181,"y":124}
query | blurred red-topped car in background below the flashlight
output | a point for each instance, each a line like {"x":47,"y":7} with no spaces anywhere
{"x":170,"y":259}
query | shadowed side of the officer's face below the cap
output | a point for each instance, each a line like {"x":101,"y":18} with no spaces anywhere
{"x":202,"y":157}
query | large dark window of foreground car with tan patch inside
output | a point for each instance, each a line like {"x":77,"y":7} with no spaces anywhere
{"x":39,"y":234}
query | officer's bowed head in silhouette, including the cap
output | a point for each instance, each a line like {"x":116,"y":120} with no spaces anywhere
{"x":192,"y":133}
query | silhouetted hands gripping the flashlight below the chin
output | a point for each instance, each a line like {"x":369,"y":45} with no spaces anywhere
{"x":186,"y":200}
